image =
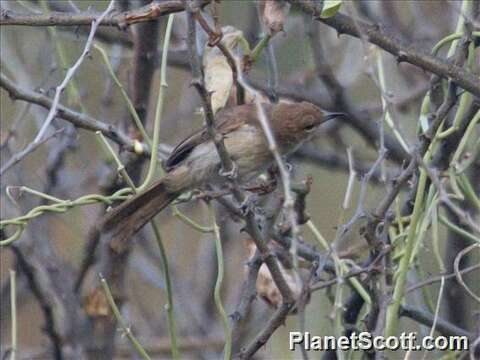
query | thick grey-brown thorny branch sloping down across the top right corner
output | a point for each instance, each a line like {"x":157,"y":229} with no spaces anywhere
{"x":403,"y":53}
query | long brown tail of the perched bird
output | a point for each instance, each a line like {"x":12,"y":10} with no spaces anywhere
{"x":128,"y":218}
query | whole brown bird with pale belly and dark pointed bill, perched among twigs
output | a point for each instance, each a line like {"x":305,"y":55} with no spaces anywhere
{"x":195,"y":160}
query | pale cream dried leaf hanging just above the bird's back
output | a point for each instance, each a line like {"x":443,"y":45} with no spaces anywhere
{"x":218,"y":74}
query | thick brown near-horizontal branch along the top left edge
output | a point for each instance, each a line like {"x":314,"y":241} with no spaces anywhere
{"x":149,"y":12}
